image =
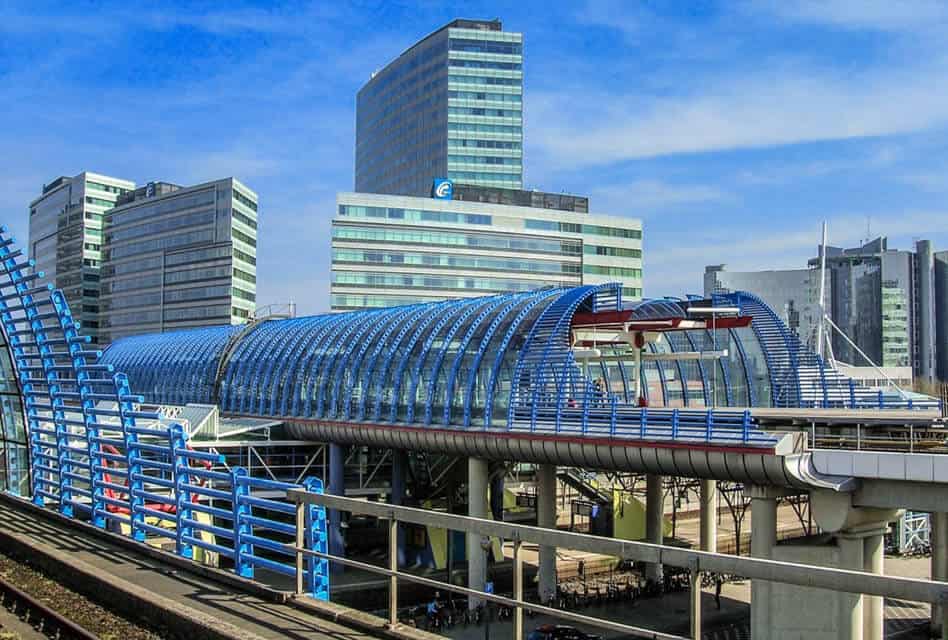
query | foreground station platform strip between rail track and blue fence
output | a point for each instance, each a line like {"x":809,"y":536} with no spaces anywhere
{"x":164,"y":591}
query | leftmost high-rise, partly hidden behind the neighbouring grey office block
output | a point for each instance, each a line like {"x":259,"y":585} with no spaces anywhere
{"x":66,"y":238}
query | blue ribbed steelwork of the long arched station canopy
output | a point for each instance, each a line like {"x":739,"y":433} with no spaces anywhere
{"x":499,"y":362}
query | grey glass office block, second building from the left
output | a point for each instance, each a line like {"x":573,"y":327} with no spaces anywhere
{"x":178,"y":257}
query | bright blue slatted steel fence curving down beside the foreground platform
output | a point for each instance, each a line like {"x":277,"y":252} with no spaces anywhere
{"x":96,"y":455}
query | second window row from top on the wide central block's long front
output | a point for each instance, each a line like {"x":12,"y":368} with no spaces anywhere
{"x":448,"y":238}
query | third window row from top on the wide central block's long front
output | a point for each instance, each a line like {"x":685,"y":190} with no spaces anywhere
{"x":451,"y":261}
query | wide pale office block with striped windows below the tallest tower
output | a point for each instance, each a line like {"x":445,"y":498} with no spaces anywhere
{"x":391,"y":250}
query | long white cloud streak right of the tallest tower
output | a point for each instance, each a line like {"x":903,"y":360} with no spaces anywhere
{"x":776,"y":106}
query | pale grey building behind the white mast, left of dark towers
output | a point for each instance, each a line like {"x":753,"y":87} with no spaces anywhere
{"x":794,"y":294}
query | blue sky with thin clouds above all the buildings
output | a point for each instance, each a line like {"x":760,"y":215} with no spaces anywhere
{"x":732,"y":129}
